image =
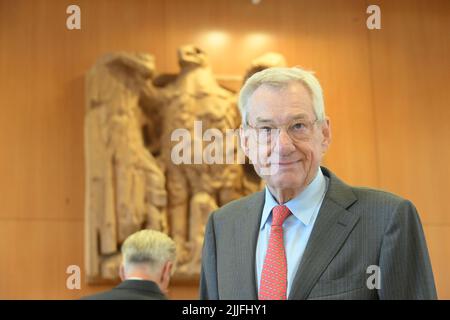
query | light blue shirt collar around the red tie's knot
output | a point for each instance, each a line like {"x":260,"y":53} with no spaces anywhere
{"x":303,"y":205}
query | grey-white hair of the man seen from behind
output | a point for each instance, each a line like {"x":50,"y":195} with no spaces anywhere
{"x":149,"y":247}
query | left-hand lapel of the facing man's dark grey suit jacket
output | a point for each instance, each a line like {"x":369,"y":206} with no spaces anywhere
{"x":245,"y":239}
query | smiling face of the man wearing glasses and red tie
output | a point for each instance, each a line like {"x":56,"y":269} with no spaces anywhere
{"x":289,"y":163}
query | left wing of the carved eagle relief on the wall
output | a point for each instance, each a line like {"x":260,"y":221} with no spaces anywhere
{"x":125,"y":188}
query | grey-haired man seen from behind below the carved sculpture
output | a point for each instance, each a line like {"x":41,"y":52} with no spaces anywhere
{"x":148,"y":263}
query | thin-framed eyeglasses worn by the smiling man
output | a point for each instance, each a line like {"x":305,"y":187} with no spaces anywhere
{"x":298,"y":130}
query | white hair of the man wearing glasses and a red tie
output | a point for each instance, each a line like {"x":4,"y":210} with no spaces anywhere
{"x":281,"y":77}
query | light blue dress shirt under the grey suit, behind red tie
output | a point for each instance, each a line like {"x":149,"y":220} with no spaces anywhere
{"x":296,"y":228}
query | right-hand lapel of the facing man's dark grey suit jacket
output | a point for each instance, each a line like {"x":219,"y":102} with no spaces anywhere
{"x":332,"y":227}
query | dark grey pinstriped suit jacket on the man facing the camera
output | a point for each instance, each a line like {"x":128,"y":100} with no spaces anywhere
{"x":356,"y":228}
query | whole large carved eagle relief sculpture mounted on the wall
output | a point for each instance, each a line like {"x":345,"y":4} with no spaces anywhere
{"x":132,"y":181}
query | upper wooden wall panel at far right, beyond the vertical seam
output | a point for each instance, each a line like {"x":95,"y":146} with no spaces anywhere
{"x":411,"y":96}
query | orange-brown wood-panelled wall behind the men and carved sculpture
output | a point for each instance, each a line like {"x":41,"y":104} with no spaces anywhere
{"x":386,"y":91}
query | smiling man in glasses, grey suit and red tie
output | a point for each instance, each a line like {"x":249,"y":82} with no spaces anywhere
{"x":308,"y":235}
